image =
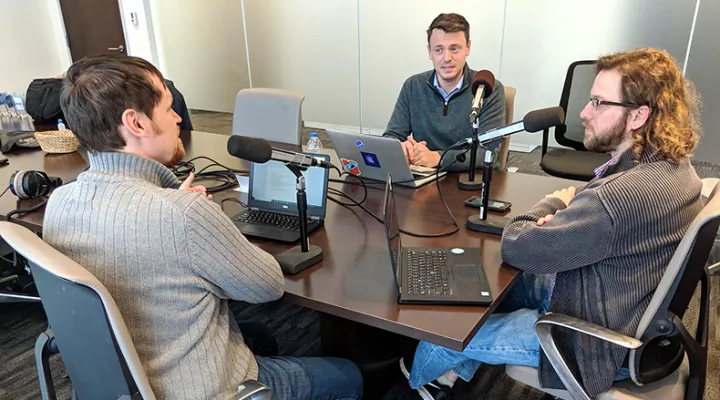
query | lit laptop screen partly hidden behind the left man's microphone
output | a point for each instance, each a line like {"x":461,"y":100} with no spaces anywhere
{"x":273,"y":188}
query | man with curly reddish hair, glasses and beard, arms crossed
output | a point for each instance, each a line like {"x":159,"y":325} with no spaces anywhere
{"x":597,"y":252}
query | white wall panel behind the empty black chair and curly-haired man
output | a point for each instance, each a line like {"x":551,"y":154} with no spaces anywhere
{"x":543,"y":38}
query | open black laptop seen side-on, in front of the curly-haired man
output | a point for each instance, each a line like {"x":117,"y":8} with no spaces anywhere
{"x":433,"y":275}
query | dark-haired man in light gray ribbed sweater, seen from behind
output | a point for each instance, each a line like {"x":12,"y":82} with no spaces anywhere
{"x":168,"y":255}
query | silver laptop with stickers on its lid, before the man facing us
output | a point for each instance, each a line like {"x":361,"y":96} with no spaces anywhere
{"x":374,"y":157}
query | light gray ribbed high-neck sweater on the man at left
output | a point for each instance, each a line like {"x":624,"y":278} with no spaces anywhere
{"x":171,"y":260}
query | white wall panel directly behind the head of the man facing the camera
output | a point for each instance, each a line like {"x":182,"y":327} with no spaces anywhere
{"x":393,"y":46}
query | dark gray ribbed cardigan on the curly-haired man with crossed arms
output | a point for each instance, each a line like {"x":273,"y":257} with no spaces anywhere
{"x":610,"y":247}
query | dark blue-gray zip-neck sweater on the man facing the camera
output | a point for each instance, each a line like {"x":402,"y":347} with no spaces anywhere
{"x":421,"y":110}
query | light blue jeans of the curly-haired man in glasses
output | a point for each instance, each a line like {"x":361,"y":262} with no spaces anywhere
{"x":507,"y":337}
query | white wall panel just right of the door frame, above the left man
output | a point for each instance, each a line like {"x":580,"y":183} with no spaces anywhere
{"x":201,"y":48}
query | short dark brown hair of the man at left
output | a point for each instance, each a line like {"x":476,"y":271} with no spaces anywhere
{"x":97,"y":91}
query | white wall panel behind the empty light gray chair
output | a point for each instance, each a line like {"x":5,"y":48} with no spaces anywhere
{"x":309,"y":46}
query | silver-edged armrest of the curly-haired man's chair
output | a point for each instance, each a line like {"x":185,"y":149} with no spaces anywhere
{"x":543,"y":330}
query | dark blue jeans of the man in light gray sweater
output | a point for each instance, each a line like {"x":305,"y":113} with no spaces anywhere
{"x":310,"y":378}
